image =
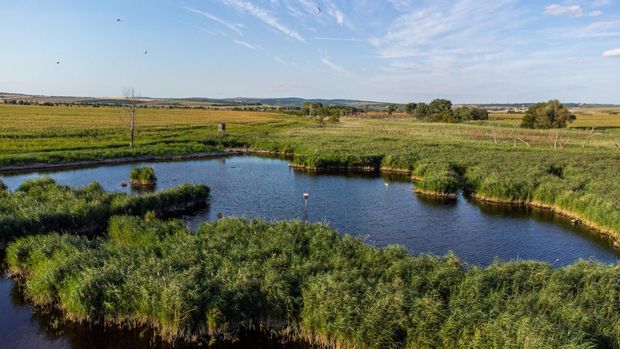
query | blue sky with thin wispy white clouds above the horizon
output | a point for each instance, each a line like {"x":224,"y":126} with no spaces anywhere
{"x":468,"y":51}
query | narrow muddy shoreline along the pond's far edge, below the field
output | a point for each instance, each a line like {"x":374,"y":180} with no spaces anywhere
{"x":606,"y":232}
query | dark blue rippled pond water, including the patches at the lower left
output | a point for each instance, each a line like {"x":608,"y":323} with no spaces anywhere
{"x":256,"y":187}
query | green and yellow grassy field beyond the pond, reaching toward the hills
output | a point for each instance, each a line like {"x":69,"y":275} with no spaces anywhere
{"x":573,"y":171}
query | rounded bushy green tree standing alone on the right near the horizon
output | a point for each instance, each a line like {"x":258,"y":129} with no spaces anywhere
{"x":551,"y":114}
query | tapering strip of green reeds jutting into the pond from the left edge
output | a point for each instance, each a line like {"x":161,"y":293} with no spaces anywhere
{"x":42,"y":205}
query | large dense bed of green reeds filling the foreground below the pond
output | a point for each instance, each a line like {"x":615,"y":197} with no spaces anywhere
{"x":305,"y":281}
